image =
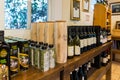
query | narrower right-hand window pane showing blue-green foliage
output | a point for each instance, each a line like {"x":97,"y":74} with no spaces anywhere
{"x":39,"y":10}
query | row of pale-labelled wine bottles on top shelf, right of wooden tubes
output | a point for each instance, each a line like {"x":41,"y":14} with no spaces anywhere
{"x":84,"y":38}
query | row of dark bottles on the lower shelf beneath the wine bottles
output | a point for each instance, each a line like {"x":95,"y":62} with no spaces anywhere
{"x":83,"y":72}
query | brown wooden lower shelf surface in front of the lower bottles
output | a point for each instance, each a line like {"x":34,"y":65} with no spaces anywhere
{"x":97,"y":75}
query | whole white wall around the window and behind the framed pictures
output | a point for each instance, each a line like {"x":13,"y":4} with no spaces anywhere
{"x":59,"y":10}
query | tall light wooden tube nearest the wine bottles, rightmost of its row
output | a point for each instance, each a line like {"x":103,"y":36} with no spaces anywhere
{"x":61,"y":41}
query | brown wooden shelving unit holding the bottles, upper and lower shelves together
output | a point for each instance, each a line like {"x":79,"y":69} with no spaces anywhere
{"x":62,"y":71}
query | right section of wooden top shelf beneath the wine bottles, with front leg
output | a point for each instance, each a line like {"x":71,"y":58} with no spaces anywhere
{"x":76,"y":62}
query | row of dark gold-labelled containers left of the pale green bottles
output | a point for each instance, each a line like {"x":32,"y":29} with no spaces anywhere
{"x":19,"y":54}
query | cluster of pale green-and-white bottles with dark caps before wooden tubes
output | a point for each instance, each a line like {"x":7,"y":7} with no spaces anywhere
{"x":42,"y":55}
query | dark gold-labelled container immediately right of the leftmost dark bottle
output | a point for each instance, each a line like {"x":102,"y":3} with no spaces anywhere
{"x":14,"y":61}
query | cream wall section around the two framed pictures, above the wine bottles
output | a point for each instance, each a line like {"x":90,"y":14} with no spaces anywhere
{"x":66,"y":14}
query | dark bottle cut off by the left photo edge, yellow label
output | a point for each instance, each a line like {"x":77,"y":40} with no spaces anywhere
{"x":4,"y":58}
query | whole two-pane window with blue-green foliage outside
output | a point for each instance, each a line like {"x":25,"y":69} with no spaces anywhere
{"x":16,"y":13}
